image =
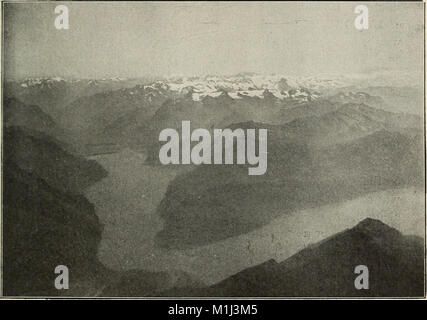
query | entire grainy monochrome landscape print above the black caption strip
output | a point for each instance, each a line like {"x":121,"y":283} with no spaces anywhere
{"x":84,"y":184}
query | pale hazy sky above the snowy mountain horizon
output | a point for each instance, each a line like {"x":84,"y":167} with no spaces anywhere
{"x":135,"y":39}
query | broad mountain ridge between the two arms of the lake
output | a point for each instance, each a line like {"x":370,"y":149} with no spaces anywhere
{"x":224,"y":201}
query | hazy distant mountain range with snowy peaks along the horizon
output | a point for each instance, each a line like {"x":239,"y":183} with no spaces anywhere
{"x":125,"y":112}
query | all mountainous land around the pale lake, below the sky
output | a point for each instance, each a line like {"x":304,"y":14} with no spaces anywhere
{"x":328,"y":141}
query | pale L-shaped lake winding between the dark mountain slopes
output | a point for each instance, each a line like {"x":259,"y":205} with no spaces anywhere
{"x":126,"y":204}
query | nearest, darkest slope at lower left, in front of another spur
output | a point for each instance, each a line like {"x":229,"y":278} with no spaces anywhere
{"x":44,"y":228}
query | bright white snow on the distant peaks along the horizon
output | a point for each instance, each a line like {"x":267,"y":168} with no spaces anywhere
{"x":236,"y":86}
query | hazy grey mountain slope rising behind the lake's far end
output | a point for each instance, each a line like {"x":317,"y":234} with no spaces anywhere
{"x":112,"y":116}
